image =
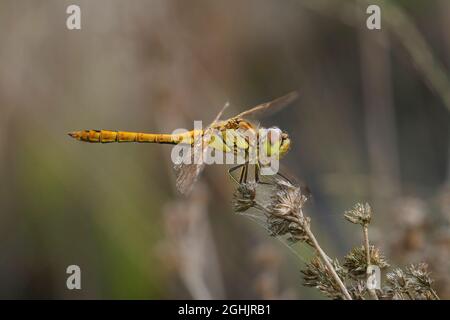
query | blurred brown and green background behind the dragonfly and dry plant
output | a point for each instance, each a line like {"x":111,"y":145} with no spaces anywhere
{"x":372,"y":124}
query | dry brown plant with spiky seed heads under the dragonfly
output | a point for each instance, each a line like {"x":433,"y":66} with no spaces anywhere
{"x":284,"y":217}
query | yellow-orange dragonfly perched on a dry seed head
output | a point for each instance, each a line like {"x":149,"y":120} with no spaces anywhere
{"x":213,"y":136}
